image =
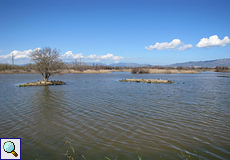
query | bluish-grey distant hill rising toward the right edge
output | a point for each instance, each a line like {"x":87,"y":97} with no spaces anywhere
{"x":212,"y":63}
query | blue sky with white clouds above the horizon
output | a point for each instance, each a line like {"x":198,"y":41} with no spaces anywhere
{"x":156,"y":32}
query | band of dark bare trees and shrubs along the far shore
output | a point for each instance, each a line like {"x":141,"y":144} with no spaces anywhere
{"x":81,"y":66}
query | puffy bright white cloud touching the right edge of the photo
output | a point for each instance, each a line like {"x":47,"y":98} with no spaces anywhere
{"x":213,"y":41}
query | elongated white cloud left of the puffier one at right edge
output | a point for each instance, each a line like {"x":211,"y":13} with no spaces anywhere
{"x":165,"y":45}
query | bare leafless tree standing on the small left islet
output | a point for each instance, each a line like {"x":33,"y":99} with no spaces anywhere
{"x":47,"y":61}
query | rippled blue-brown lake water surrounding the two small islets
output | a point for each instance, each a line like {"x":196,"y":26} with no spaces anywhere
{"x":103,"y":117}
